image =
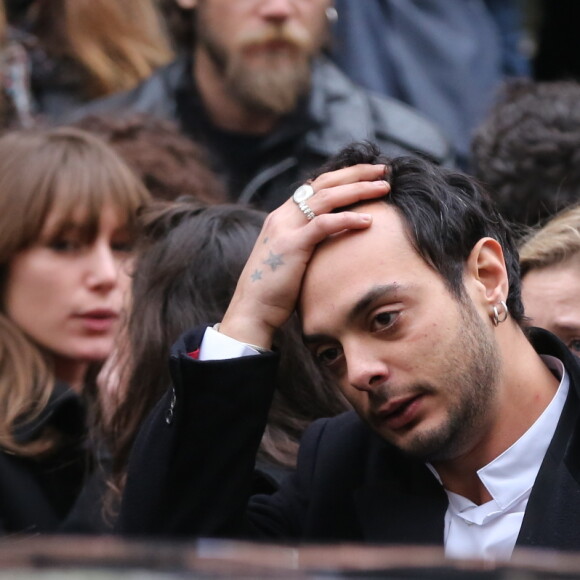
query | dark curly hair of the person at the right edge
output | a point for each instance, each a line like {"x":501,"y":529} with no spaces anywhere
{"x":527,"y":151}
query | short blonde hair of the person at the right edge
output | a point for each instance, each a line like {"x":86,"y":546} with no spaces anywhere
{"x":552,"y":244}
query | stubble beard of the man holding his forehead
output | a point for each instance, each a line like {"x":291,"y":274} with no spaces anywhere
{"x":471,"y":371}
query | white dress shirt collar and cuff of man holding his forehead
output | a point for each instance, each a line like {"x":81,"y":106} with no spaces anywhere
{"x":488,"y":531}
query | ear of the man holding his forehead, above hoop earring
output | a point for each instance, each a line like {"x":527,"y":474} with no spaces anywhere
{"x":486,"y":271}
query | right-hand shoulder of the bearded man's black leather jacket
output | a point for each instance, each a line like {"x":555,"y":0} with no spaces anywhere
{"x":397,"y":128}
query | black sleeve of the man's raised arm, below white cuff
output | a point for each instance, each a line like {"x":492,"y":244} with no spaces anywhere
{"x":191,"y":469}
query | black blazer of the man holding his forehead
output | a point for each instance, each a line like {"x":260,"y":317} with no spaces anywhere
{"x":191,"y":469}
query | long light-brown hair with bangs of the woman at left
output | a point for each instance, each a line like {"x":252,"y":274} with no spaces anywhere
{"x":63,"y":173}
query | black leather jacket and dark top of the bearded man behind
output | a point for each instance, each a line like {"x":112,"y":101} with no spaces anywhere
{"x":336,"y":113}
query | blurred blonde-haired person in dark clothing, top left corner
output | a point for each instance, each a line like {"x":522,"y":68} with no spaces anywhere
{"x":63,"y":53}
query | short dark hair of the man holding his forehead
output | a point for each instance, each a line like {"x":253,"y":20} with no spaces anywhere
{"x":445,"y":213}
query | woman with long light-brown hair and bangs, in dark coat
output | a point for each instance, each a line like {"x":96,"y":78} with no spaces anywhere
{"x":68,"y":206}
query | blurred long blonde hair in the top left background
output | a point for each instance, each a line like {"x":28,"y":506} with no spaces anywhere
{"x":117,"y":42}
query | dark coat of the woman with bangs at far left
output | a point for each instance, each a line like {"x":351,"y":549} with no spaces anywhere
{"x":50,"y":494}
